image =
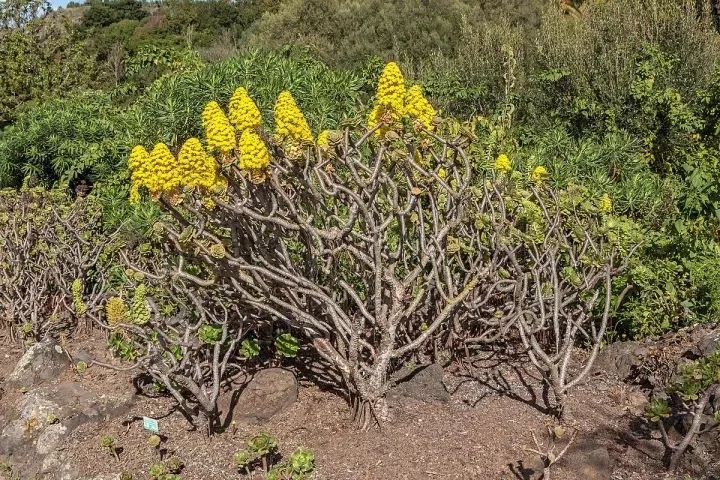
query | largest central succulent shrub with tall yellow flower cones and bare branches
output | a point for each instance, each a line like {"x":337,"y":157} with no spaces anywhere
{"x":344,"y":242}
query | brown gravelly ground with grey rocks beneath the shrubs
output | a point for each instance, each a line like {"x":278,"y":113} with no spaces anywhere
{"x":472,"y":420}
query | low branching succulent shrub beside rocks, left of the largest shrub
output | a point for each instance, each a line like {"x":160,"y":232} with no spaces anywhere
{"x":188,"y":341}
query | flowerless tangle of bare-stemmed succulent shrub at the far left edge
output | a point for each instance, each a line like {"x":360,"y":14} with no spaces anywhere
{"x":52,"y":252}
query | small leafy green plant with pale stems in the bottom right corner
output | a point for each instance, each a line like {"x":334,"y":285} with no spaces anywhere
{"x":689,"y":398}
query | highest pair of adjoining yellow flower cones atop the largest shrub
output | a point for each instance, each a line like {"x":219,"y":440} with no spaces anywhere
{"x":393,"y":102}
